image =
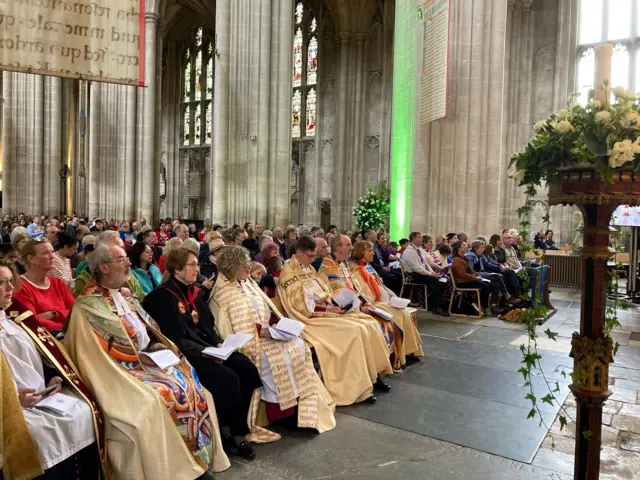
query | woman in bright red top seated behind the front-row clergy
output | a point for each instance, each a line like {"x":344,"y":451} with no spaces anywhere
{"x":47,"y":297}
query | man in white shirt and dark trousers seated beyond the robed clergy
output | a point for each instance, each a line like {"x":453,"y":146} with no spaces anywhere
{"x":421,"y":272}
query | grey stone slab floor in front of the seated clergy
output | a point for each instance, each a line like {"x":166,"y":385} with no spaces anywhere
{"x":469,"y":365}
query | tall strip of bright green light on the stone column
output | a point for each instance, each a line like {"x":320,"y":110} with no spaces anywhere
{"x":403,"y":114}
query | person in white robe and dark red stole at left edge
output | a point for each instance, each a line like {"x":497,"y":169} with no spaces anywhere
{"x":64,"y":445}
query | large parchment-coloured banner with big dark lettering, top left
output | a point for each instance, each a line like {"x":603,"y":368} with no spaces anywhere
{"x":101,"y":40}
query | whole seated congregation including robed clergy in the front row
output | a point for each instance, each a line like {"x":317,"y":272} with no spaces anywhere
{"x":106,"y":327}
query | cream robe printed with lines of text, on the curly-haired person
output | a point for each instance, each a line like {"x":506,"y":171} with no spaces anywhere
{"x":241,"y":307}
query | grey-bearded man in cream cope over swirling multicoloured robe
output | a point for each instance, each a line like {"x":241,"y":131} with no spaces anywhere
{"x":160,"y":423}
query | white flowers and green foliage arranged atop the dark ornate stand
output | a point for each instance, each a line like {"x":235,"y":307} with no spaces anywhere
{"x":601,"y":135}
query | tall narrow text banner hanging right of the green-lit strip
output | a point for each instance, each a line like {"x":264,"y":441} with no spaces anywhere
{"x":434,"y":32}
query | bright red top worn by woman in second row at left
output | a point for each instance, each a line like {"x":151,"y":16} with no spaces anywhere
{"x":56,"y":298}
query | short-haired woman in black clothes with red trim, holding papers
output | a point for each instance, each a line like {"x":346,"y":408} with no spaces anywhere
{"x":181,"y":310}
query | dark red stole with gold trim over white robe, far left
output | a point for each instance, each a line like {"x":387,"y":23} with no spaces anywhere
{"x":55,"y":353}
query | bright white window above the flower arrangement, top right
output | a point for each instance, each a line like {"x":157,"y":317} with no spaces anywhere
{"x":616,"y":22}
